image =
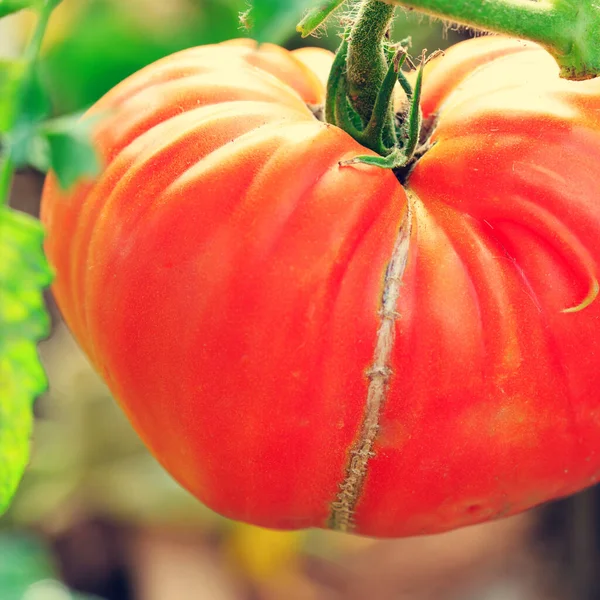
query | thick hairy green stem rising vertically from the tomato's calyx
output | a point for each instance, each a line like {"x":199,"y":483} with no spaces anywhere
{"x":367,"y":65}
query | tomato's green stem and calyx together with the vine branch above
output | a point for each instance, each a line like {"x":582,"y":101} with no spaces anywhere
{"x":367,"y":68}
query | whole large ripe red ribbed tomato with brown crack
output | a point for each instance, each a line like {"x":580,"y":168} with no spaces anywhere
{"x":246,"y":298}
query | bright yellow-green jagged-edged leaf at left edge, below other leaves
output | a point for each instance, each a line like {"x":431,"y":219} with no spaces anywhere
{"x":24,"y":273}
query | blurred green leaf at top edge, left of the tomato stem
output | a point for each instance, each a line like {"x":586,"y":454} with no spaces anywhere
{"x":275,"y":20}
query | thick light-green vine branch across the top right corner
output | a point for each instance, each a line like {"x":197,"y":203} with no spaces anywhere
{"x":568,"y":29}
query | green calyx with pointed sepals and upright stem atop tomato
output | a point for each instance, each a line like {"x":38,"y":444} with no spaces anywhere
{"x":360,"y":90}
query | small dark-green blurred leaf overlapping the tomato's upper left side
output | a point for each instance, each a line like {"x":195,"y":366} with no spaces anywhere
{"x":70,"y":152}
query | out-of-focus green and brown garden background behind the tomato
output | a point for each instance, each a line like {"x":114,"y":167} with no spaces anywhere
{"x":96,"y":517}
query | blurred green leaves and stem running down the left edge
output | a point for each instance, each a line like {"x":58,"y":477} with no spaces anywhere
{"x":26,"y":138}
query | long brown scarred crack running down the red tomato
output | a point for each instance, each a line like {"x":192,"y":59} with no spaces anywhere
{"x":342,"y":511}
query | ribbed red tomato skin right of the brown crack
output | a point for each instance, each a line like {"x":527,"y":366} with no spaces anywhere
{"x":495,"y":406}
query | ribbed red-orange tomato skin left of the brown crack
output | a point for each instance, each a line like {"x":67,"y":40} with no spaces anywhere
{"x":224,"y":275}
